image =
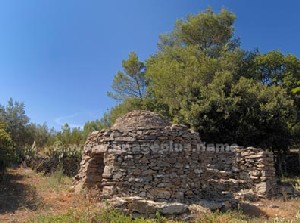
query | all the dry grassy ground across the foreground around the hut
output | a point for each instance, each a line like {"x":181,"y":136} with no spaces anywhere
{"x":26,"y":196}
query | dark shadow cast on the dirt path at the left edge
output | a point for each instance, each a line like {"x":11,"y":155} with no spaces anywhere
{"x":14,"y":194}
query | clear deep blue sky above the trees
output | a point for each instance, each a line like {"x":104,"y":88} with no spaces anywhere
{"x":59,"y":56}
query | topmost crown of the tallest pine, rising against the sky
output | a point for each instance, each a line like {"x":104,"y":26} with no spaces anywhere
{"x":207,"y":30}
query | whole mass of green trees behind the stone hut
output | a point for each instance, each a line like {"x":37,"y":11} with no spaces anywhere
{"x":201,"y":77}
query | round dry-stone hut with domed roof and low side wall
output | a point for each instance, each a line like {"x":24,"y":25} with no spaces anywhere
{"x":143,"y":155}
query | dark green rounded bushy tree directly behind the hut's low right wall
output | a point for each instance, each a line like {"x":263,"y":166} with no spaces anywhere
{"x":246,"y":112}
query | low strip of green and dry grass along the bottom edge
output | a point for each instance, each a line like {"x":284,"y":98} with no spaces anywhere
{"x":109,"y":215}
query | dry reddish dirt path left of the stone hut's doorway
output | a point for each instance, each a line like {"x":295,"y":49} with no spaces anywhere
{"x":25,"y":194}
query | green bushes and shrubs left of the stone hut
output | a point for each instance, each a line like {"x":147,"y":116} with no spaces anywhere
{"x":20,"y":139}
